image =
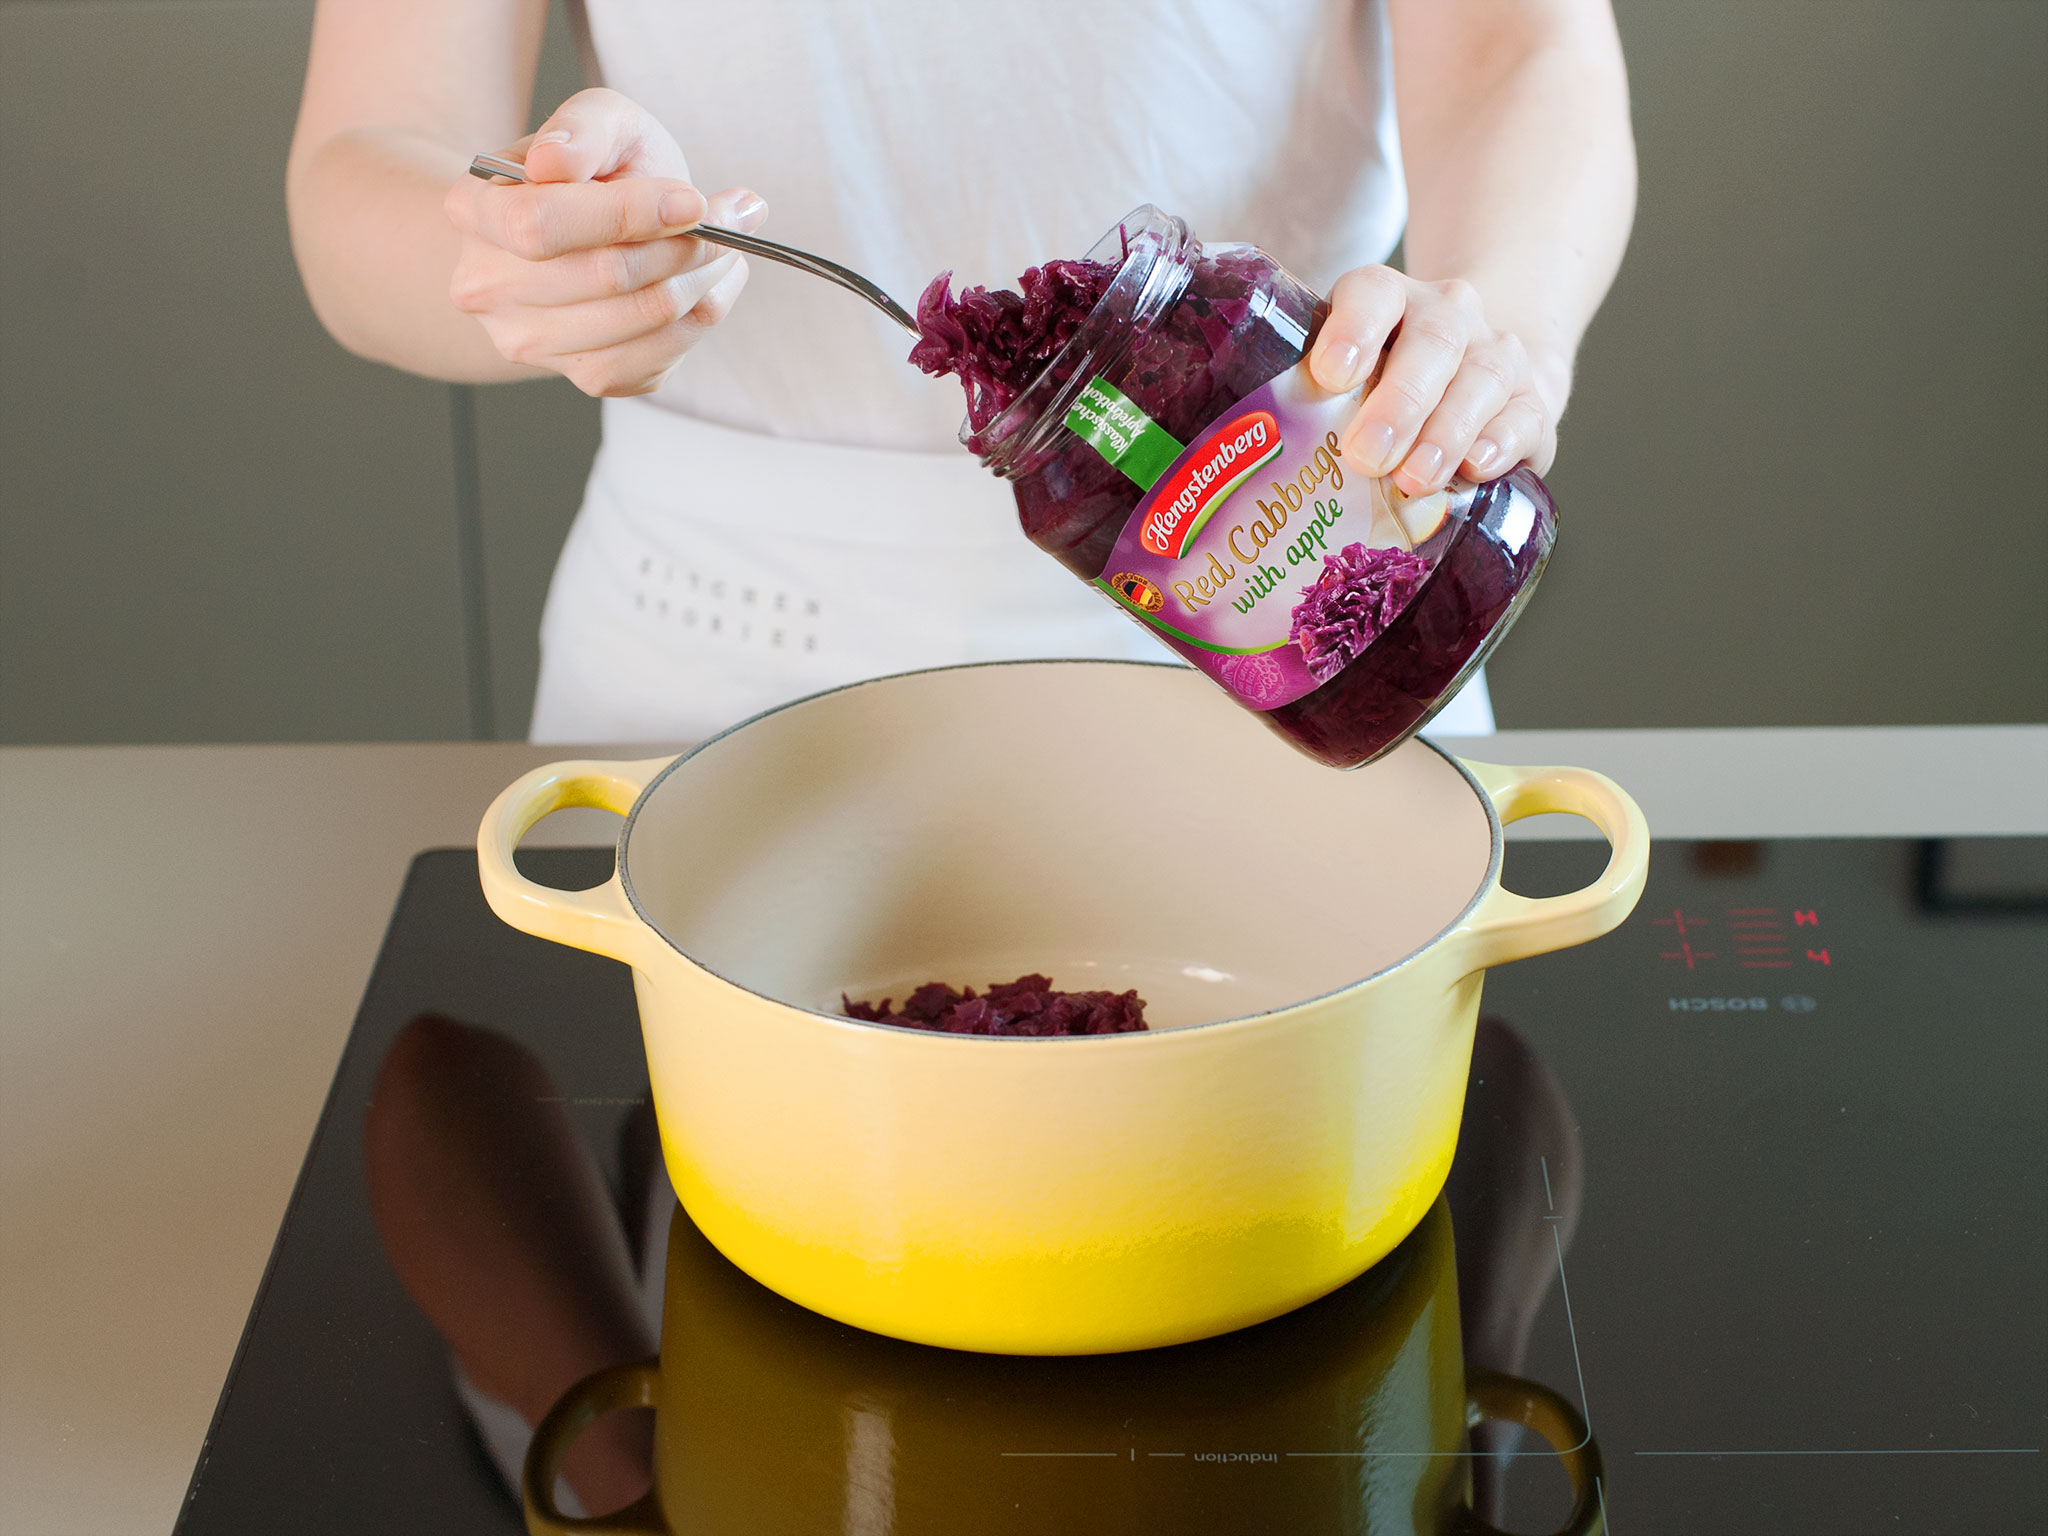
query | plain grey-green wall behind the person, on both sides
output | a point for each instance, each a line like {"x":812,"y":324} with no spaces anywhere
{"x":1781,"y":476}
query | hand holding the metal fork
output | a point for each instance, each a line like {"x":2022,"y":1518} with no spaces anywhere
{"x":589,"y":269}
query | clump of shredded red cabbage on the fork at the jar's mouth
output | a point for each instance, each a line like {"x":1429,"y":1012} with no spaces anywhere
{"x":996,"y":341}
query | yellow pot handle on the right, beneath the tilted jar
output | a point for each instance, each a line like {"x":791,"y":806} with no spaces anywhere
{"x":1508,"y":927}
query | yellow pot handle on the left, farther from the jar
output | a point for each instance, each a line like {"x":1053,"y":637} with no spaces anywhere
{"x":597,"y":921}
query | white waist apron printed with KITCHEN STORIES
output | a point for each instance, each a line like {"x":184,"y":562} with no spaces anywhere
{"x":777,"y":568}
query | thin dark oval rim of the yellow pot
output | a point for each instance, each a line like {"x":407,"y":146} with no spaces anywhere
{"x":626,"y":876}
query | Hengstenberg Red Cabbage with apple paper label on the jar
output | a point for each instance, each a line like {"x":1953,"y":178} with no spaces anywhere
{"x":1254,"y":552}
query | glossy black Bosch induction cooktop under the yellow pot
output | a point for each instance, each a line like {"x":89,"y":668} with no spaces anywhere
{"x":1756,"y":1185}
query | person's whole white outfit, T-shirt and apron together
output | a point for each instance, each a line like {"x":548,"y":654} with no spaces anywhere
{"x":792,"y":511}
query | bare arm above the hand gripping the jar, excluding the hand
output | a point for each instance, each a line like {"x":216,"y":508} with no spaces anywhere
{"x":1521,"y":163}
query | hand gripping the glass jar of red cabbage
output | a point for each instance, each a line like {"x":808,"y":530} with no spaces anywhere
{"x":1453,"y":394}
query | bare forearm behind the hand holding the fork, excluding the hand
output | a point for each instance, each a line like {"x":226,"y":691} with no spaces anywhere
{"x":376,"y":253}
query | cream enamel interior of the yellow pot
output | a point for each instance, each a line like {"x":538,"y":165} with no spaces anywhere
{"x":1107,"y":824}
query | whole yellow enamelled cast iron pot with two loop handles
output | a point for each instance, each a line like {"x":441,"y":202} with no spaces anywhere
{"x":1310,"y":947}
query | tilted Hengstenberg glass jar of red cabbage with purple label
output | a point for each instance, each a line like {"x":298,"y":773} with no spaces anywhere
{"x":1179,"y":456}
